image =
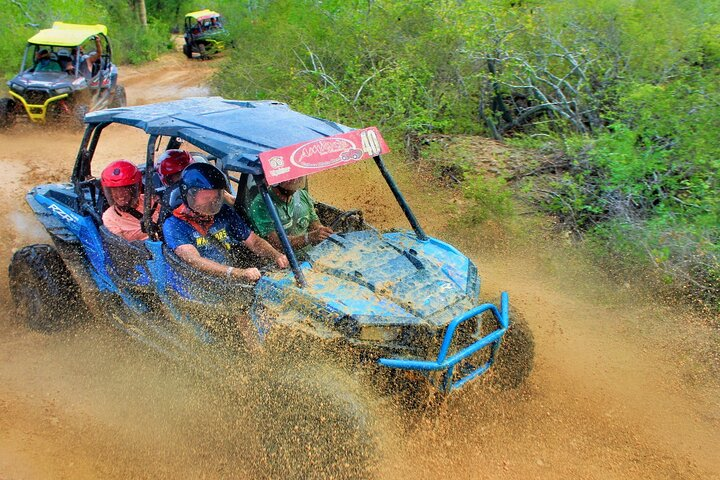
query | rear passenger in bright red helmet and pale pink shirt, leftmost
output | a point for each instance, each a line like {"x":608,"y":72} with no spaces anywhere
{"x":121,"y":182}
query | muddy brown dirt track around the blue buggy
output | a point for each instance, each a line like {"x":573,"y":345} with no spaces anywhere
{"x":624,"y":386}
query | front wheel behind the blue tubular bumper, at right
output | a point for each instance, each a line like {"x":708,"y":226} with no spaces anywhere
{"x":515,"y":358}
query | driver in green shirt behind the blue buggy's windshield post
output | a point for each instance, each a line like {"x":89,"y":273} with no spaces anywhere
{"x":297,"y":215}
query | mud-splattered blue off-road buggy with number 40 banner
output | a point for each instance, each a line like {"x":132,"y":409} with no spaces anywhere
{"x":402,"y":309}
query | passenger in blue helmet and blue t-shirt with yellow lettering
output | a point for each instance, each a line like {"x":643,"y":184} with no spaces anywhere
{"x":203,"y":230}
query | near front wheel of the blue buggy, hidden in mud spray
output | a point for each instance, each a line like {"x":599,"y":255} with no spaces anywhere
{"x":314,"y":421}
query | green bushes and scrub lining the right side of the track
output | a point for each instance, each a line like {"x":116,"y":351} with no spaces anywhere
{"x":629,"y":90}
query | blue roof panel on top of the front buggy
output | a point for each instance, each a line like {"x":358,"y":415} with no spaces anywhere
{"x":232,"y":130}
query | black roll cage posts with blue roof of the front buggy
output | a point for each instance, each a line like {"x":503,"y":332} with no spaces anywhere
{"x":237,"y":144}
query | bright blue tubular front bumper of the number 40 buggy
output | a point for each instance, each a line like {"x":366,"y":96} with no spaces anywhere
{"x":449,"y":364}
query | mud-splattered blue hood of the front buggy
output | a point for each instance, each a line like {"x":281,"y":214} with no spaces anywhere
{"x":391,"y":278}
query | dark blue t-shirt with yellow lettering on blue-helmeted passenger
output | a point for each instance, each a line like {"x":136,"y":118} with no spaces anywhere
{"x":228,"y":230}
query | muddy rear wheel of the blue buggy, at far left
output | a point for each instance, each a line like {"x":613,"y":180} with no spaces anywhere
{"x":44,"y":292}
